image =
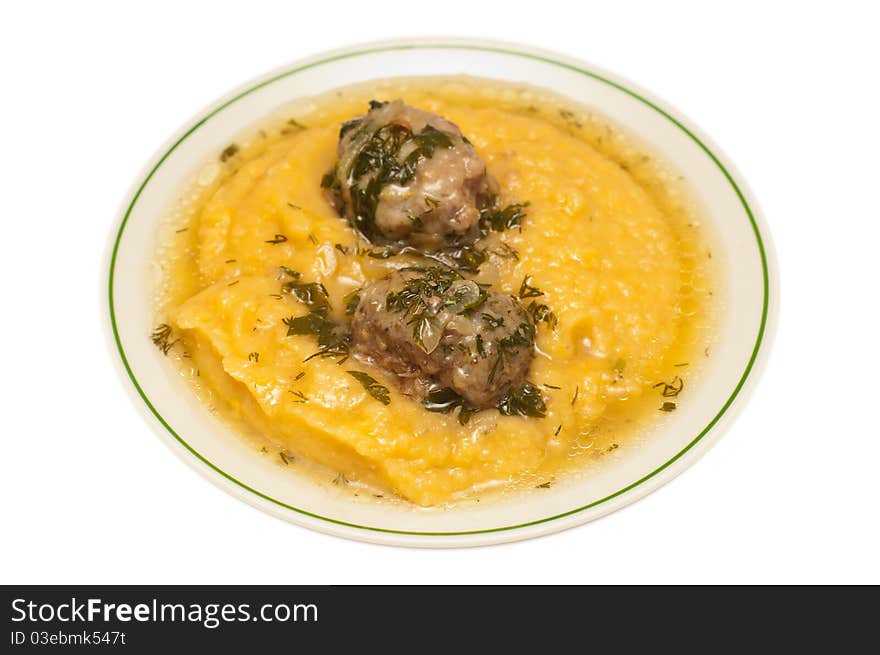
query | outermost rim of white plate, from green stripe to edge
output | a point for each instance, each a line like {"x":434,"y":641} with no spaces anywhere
{"x":658,"y":476}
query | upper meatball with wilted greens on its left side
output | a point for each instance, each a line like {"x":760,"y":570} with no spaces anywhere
{"x":409,"y":176}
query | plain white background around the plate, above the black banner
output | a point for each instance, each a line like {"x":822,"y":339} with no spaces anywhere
{"x":90,"y":494}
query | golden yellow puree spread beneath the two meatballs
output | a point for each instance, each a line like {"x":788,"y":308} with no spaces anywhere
{"x":610,"y":239}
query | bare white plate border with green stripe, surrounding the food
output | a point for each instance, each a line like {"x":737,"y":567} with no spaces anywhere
{"x":211,"y":448}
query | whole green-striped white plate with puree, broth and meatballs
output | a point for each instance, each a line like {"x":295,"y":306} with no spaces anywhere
{"x":439,"y":293}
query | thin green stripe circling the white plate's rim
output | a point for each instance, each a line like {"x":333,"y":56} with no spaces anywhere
{"x":275,"y":78}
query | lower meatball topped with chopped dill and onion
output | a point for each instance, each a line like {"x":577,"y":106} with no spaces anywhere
{"x":434,"y":329}
